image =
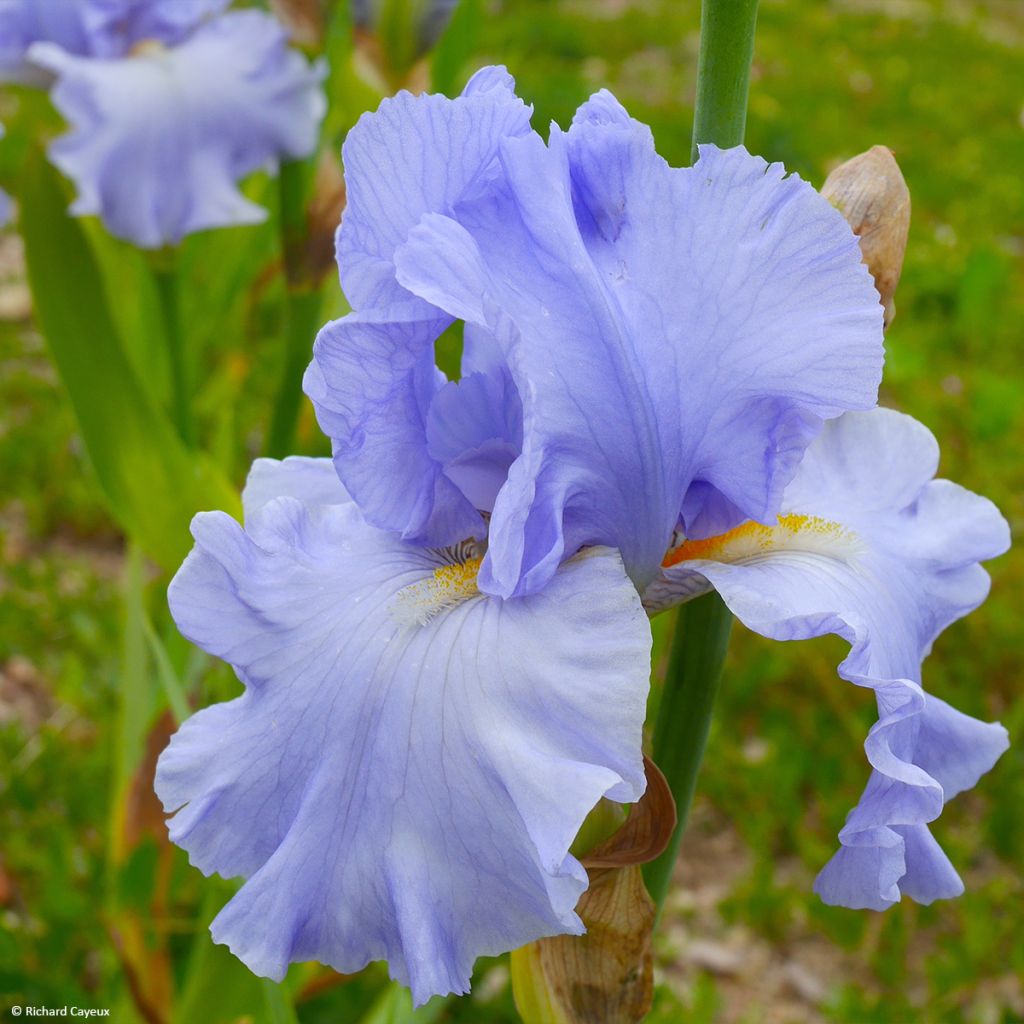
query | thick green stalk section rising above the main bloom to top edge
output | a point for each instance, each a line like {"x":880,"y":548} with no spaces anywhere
{"x":724,"y":72}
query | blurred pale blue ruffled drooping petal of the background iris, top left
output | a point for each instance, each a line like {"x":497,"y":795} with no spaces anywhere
{"x":159,"y":141}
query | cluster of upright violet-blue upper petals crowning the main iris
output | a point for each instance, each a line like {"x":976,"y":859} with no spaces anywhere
{"x":676,"y":337}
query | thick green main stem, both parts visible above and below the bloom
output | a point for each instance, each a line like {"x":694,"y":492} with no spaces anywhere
{"x":703,"y":627}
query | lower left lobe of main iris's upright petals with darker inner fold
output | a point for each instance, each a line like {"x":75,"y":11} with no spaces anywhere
{"x":420,"y":455}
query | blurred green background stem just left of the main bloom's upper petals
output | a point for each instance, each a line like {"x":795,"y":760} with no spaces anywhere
{"x":303,"y":306}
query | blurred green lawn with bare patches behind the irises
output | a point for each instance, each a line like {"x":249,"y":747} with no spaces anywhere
{"x":943,"y":83}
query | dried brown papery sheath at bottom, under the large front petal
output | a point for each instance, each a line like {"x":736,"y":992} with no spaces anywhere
{"x":606,"y":976}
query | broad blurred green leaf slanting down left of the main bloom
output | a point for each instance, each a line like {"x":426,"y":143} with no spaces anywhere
{"x":153,"y":485}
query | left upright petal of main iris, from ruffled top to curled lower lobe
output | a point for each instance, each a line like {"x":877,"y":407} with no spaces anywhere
{"x":373,"y":380}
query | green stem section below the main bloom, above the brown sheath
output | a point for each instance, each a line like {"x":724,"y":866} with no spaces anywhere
{"x":699,"y":649}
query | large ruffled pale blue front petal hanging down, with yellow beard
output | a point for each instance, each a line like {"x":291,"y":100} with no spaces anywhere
{"x":411,"y":759}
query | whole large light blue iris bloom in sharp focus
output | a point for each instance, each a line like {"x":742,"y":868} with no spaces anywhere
{"x":668,"y":383}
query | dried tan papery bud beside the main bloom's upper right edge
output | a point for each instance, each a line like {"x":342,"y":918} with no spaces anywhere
{"x":871,"y":193}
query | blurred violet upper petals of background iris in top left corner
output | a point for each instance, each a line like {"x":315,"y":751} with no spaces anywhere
{"x":92,"y":28}
